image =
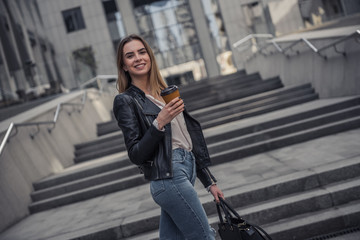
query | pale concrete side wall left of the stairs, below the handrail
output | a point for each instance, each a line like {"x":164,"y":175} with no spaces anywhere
{"x":25,"y":160}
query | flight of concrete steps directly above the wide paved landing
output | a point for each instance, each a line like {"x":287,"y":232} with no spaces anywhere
{"x":292,"y":125}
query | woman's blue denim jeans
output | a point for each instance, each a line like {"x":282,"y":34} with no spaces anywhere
{"x":182,"y":214}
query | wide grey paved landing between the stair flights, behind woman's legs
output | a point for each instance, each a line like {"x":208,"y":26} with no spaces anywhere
{"x":118,"y":208}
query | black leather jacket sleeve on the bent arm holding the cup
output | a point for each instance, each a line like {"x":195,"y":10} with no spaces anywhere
{"x":140,"y":147}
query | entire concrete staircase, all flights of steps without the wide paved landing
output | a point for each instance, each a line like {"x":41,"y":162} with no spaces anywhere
{"x":254,"y":120}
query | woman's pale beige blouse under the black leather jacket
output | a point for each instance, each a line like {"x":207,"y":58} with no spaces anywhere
{"x":180,"y":135}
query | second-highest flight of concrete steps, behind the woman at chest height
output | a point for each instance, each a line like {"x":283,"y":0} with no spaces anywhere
{"x":209,"y":116}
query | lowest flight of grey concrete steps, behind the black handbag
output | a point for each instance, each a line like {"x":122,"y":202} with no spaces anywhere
{"x":301,"y":205}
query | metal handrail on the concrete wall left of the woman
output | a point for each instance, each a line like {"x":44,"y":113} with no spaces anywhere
{"x":56,"y":116}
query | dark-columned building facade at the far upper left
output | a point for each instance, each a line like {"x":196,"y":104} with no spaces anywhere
{"x":28,"y":66}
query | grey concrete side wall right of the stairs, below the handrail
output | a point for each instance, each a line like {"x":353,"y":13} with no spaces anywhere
{"x":335,"y":76}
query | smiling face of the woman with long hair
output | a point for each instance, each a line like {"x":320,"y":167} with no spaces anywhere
{"x":136,"y":59}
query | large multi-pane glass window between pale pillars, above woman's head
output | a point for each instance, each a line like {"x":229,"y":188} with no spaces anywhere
{"x":169,"y":29}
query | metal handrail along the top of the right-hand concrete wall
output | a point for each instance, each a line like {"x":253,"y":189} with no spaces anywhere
{"x":310,"y":45}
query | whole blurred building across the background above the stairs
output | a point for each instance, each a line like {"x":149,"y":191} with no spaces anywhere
{"x":48,"y":46}
